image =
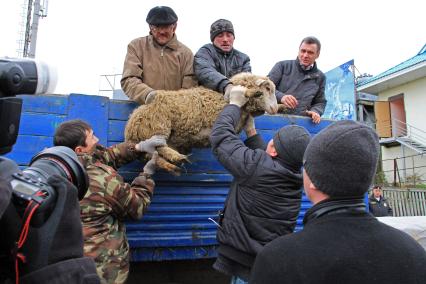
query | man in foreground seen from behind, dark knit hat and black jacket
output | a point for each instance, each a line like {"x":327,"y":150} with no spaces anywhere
{"x":341,"y":242}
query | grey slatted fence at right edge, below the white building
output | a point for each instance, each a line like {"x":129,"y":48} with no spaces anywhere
{"x":406,"y":202}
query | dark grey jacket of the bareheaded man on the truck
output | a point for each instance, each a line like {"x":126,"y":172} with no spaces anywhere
{"x":307,"y":86}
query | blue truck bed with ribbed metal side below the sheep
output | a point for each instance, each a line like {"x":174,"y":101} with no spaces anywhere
{"x":176,"y":225}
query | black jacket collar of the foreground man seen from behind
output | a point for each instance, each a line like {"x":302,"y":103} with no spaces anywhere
{"x":335,"y":206}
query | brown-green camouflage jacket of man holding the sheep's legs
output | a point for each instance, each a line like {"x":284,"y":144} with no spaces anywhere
{"x":107,"y":203}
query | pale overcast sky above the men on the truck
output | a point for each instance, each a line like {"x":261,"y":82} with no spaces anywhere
{"x":87,"y":38}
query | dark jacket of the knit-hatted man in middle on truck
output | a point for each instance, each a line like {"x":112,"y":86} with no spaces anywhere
{"x":213,"y":67}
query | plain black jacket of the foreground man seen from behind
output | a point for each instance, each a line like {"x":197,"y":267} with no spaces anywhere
{"x":341,"y":245}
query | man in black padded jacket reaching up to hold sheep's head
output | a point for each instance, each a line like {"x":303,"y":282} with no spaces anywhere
{"x":264,"y":199}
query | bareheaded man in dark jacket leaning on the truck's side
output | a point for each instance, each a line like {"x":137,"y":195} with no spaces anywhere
{"x":300,"y":84}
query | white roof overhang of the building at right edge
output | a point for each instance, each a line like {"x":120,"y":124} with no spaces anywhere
{"x":395,"y":79}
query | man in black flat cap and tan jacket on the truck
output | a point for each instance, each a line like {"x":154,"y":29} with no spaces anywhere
{"x":157,"y":61}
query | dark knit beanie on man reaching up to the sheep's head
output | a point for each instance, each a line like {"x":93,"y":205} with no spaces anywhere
{"x":290,"y":143}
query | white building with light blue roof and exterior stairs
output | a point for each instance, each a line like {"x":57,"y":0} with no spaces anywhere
{"x":400,"y":113}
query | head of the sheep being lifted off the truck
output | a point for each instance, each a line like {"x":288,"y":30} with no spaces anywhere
{"x":260,"y":91}
